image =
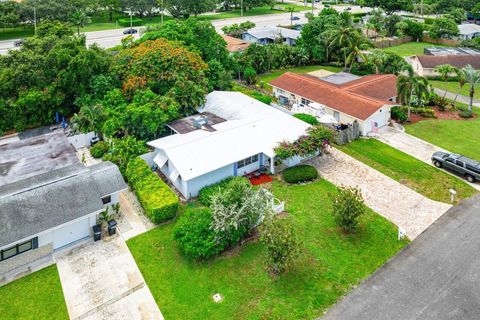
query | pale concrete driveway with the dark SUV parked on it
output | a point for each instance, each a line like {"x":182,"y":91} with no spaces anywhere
{"x":413,"y":146}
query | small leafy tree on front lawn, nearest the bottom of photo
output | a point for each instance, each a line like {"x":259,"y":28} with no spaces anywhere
{"x":281,"y":243}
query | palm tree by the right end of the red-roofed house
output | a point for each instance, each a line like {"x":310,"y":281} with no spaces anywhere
{"x":411,"y":85}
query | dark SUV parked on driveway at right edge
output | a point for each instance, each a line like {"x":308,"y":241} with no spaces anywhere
{"x":459,"y":164}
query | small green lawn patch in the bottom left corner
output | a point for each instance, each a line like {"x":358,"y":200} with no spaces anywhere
{"x":36,"y":296}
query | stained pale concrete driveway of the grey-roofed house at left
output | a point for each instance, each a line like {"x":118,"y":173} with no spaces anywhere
{"x":101,"y":280}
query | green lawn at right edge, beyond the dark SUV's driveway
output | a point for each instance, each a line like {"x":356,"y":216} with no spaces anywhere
{"x":459,"y":136}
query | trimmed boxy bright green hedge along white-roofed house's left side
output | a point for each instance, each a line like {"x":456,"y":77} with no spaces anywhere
{"x":157,"y":199}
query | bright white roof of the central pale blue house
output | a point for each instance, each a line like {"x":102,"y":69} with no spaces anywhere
{"x":252,"y":127}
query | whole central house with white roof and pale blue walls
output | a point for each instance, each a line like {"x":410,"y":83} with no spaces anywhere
{"x":232,"y":136}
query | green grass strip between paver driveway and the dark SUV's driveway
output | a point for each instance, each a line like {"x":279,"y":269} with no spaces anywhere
{"x":415,"y":174}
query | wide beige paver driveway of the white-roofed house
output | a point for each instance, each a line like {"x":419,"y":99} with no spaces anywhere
{"x":401,"y":205}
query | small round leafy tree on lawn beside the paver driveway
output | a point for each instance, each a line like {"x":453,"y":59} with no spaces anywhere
{"x":348,"y":205}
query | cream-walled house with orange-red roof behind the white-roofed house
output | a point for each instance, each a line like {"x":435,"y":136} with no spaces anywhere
{"x":348,"y":98}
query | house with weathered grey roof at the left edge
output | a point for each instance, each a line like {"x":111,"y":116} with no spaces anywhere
{"x":48,"y":199}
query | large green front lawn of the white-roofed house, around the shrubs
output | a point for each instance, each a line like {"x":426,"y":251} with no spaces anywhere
{"x":331,"y":263}
